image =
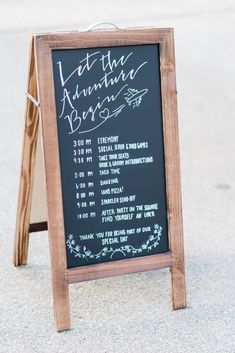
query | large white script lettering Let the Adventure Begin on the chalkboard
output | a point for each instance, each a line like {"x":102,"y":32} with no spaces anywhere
{"x":86,"y":108}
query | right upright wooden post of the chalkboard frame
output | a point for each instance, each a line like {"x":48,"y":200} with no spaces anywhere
{"x":172,"y":165}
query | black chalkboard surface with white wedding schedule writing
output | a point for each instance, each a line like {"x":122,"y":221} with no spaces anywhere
{"x":110,"y":133}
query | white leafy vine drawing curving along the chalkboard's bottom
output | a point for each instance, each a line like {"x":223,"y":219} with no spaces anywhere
{"x":84,"y":253}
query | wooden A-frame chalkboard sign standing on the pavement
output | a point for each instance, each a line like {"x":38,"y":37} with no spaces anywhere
{"x":103,"y":105}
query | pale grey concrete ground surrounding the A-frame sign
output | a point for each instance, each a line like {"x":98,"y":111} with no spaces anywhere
{"x":132,"y":313}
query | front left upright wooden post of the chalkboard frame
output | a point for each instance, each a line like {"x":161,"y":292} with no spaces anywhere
{"x":53,"y":185}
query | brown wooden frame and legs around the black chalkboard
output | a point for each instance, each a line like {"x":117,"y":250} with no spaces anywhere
{"x":41,"y":85}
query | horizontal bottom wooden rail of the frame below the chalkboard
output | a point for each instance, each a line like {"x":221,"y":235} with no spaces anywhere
{"x":121,"y":267}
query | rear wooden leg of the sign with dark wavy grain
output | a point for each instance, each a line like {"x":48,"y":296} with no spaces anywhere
{"x":27,"y":169}
